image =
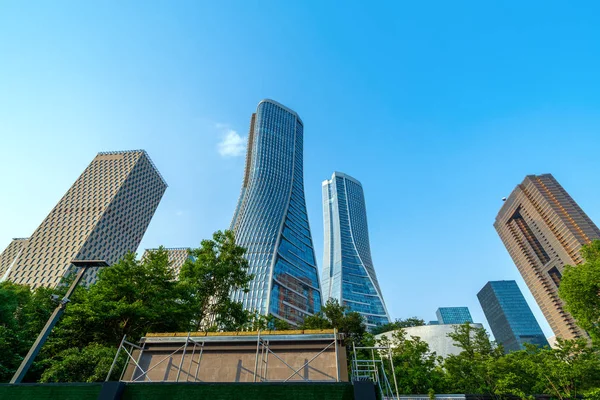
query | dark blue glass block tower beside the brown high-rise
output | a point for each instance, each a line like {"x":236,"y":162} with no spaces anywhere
{"x":509,"y":316}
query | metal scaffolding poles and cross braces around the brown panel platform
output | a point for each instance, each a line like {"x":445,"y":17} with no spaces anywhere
{"x":195,"y":347}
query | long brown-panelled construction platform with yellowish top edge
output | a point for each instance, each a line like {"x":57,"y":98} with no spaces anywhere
{"x":260,"y":356}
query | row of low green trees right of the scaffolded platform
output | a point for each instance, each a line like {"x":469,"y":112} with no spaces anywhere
{"x":571,"y":369}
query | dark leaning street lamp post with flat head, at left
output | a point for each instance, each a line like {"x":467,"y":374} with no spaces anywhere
{"x":83,"y":266}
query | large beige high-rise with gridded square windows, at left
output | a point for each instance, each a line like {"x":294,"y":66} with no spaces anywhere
{"x":102,"y":216}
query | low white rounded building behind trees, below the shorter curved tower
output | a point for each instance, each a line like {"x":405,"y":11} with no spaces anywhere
{"x":436,"y":336}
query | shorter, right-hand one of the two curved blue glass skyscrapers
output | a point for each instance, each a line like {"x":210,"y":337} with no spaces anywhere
{"x":348,"y":272}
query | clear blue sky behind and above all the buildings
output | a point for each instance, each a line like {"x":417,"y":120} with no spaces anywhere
{"x":438,"y":108}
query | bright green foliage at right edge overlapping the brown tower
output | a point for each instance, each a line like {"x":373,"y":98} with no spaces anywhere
{"x":580,"y":290}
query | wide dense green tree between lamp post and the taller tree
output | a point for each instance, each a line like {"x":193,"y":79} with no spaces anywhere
{"x":130,"y":298}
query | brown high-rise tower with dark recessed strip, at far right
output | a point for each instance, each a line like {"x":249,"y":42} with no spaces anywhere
{"x":543,"y":230}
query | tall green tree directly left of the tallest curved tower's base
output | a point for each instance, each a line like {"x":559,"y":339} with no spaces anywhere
{"x":213,"y":271}
